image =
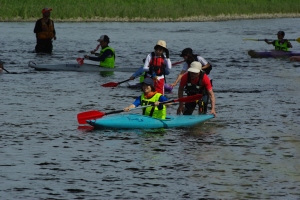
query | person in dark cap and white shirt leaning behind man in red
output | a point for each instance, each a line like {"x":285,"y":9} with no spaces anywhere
{"x":190,"y":57}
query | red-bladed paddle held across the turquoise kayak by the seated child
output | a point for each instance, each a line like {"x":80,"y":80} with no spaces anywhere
{"x":95,"y":114}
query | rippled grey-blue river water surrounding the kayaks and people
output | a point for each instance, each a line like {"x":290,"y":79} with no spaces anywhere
{"x":250,"y":151}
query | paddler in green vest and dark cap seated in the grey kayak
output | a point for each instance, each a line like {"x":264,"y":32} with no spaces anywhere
{"x":107,"y":54}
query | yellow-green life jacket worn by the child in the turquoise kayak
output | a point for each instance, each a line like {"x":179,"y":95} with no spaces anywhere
{"x":153,"y":111}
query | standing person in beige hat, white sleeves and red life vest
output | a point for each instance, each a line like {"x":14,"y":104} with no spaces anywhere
{"x":157,"y":65}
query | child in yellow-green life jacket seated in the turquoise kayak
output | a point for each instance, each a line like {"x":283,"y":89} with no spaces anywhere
{"x":150,"y":97}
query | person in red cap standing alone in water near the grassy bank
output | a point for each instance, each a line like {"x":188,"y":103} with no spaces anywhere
{"x":45,"y":32}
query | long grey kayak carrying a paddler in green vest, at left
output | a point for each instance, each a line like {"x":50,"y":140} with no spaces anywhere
{"x":76,"y":67}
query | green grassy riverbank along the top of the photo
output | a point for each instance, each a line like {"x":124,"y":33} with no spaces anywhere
{"x":148,"y":10}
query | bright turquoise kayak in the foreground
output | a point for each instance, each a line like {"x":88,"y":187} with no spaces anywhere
{"x":136,"y":121}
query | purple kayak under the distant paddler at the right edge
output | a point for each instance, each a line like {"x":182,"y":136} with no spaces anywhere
{"x":272,"y":54}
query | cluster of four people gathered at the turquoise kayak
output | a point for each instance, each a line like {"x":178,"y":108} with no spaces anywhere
{"x":193,"y":79}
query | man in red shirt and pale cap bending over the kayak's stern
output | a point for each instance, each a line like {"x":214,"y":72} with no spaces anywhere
{"x":195,"y":81}
